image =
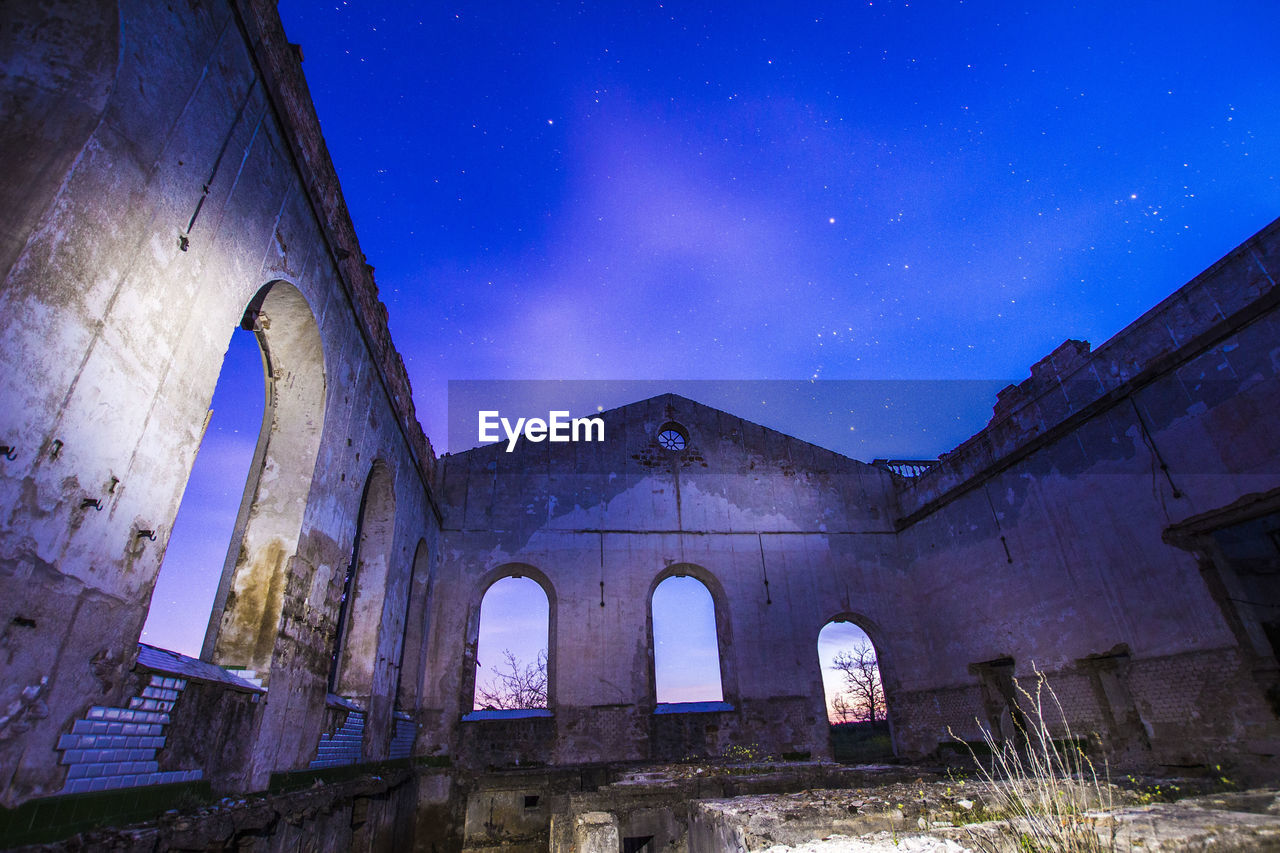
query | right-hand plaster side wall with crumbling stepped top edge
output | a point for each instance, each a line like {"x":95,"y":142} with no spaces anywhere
{"x":1082,"y":471}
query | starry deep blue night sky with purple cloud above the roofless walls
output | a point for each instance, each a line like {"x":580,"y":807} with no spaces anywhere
{"x":868,"y":191}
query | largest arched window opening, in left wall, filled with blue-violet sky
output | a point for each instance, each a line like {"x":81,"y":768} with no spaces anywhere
{"x":196,"y":551}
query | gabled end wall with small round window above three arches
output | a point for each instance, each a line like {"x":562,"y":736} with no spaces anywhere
{"x":742,"y":505}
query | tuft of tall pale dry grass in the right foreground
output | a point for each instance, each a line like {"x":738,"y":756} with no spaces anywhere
{"x":1046,"y":788}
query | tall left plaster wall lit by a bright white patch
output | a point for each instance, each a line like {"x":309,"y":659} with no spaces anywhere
{"x":190,"y":174}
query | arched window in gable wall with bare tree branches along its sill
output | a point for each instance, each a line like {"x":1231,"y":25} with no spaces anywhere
{"x":511,"y":651}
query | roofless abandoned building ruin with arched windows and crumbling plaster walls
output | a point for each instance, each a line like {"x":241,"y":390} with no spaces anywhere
{"x":1117,"y":524}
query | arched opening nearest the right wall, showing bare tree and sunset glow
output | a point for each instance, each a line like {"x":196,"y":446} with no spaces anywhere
{"x":857,"y":708}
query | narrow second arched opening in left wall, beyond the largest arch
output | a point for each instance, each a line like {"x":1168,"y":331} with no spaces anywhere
{"x":364,"y":589}
